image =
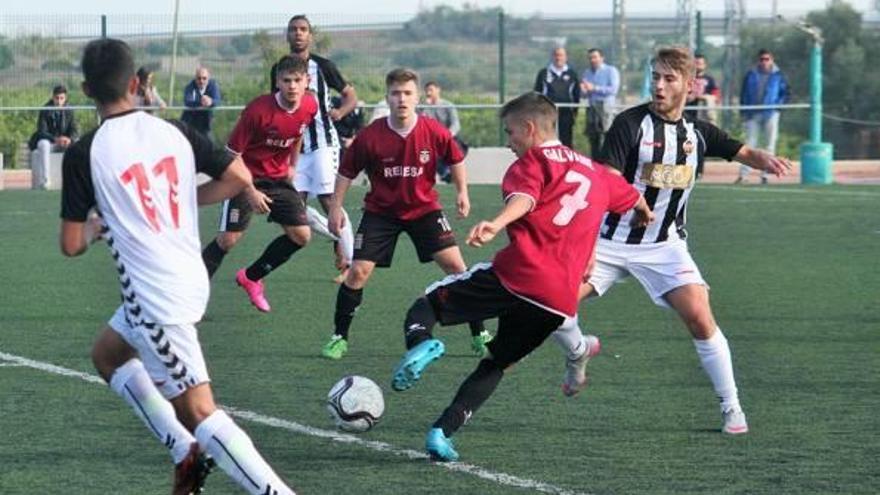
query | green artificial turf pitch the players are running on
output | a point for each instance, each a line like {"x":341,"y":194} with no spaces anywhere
{"x":795,"y":276}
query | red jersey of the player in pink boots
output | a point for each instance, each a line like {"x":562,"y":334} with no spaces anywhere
{"x":265,"y":133}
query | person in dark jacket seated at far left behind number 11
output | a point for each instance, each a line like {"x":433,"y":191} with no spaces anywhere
{"x":56,"y":130}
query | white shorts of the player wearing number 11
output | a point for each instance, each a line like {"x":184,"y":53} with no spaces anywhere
{"x":171,"y":354}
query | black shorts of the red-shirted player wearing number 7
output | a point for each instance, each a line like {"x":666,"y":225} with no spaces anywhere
{"x":478,"y":295}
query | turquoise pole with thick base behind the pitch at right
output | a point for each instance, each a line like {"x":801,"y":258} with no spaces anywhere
{"x":816,"y":157}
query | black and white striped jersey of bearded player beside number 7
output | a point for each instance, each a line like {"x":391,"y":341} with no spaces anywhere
{"x":660,"y":159}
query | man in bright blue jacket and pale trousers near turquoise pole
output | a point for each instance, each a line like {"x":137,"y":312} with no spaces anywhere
{"x":764,"y":84}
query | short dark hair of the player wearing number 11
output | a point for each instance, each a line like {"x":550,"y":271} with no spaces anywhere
{"x":107,"y":66}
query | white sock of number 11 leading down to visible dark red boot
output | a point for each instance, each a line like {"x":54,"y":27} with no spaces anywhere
{"x":133,"y":384}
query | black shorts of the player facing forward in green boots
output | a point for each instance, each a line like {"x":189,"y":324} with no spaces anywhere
{"x":377,"y":236}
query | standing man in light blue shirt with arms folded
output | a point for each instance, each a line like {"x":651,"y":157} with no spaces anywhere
{"x":600,"y":83}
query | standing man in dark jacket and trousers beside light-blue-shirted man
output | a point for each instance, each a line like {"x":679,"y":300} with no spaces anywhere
{"x":559,"y":82}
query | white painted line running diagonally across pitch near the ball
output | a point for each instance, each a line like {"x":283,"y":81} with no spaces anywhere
{"x":292,"y":426}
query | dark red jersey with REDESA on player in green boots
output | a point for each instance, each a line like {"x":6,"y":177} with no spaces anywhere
{"x":401,"y":170}
